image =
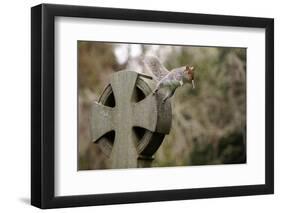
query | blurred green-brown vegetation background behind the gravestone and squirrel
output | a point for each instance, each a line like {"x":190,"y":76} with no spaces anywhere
{"x":209,"y":122}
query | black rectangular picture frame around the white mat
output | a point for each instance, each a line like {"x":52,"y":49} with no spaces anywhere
{"x":43,"y":105}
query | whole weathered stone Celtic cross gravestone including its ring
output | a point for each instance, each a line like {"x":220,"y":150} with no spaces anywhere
{"x":128,"y":122}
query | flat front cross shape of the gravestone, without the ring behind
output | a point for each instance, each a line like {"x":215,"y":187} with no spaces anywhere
{"x":128,"y":112}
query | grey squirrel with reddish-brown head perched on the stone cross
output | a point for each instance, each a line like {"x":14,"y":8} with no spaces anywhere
{"x":169,"y":81}
